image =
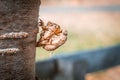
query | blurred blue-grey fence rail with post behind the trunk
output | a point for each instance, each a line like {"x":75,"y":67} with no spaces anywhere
{"x":77,"y":65}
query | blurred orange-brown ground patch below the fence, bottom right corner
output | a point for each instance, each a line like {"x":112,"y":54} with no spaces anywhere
{"x":109,"y":74}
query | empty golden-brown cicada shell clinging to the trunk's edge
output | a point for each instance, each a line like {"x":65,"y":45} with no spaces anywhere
{"x":52,"y":36}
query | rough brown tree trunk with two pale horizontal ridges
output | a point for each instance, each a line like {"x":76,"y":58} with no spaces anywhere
{"x":18,"y":25}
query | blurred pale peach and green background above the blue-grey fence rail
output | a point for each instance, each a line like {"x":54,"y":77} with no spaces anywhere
{"x":90,"y":24}
